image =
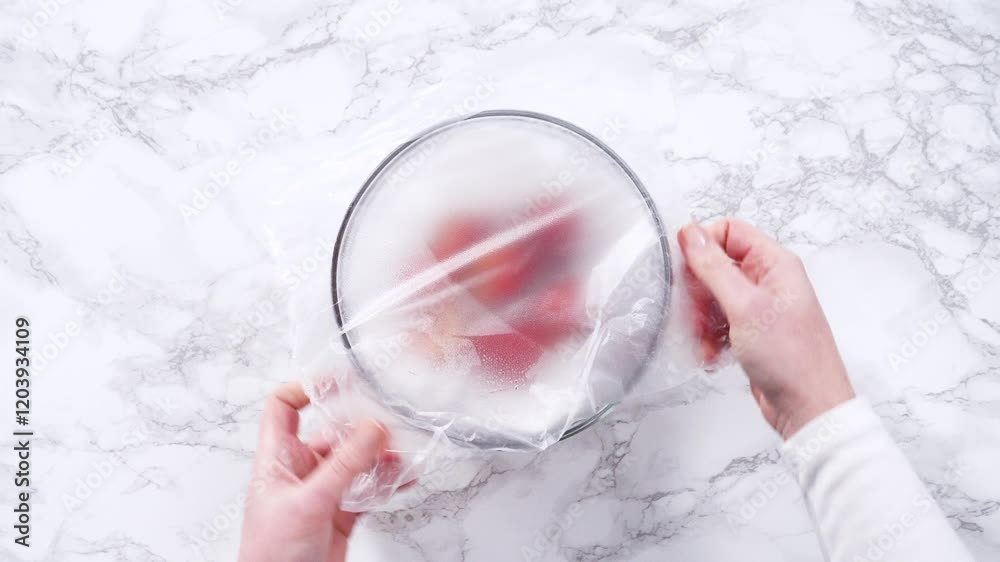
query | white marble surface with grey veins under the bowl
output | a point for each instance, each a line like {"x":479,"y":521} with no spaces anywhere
{"x":864,"y":134}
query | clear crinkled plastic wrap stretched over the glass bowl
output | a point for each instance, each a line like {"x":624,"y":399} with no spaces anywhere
{"x":499,"y":283}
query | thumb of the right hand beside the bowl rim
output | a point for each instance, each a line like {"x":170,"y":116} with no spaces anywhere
{"x":709,"y":263}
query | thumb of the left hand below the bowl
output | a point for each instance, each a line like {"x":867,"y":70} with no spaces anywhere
{"x":359,"y":453}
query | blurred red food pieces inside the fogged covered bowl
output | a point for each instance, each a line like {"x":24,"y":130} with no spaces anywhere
{"x":516,"y":274}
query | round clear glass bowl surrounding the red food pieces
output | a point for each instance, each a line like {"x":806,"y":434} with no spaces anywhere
{"x":464,"y":163}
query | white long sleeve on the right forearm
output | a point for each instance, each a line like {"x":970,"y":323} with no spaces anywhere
{"x":867,"y":503}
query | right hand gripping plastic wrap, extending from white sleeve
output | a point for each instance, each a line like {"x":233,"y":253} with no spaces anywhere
{"x":776,"y":327}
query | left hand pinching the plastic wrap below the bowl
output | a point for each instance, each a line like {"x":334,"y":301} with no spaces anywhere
{"x":293,"y":506}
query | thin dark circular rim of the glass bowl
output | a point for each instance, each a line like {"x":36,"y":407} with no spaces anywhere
{"x":486,"y":439}
